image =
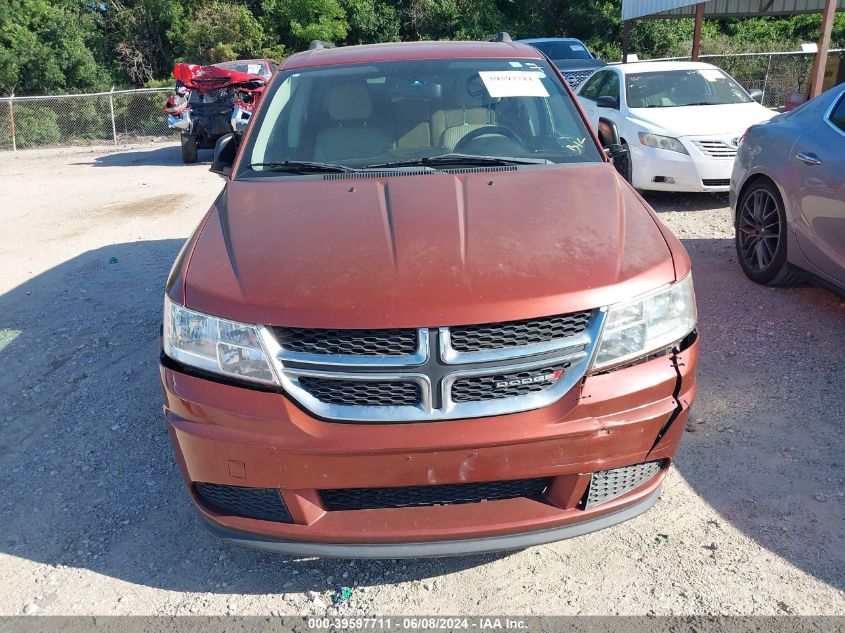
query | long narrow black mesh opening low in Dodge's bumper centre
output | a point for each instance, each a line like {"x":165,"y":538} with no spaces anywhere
{"x":414,"y":496}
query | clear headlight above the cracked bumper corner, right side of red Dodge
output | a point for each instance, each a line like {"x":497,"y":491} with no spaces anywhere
{"x":647,"y":324}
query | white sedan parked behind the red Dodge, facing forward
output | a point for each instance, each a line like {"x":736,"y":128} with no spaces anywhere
{"x":680,"y":121}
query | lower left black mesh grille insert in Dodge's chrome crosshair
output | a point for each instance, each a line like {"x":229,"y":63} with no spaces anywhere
{"x":362,"y":392}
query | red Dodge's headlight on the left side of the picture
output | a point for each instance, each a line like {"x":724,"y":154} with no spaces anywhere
{"x":216,"y":345}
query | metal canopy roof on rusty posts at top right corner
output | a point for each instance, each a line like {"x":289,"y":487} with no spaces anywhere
{"x":644,"y":9}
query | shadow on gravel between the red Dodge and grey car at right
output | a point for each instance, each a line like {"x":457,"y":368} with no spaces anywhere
{"x":764,"y":443}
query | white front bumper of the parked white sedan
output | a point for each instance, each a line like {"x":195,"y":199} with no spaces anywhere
{"x":693,"y":172}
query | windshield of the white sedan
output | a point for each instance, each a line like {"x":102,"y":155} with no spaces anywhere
{"x":675,"y":88}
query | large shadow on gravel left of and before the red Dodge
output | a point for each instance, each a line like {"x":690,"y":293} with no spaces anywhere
{"x":88,"y":475}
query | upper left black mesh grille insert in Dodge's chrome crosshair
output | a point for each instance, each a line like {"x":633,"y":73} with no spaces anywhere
{"x":348,"y":342}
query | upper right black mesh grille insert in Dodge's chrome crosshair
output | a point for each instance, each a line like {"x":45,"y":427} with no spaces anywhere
{"x":489,"y":336}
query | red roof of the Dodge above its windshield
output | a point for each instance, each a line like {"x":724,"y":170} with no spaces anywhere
{"x":402,"y":51}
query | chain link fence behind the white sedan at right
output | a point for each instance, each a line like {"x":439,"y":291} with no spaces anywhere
{"x":778,"y":75}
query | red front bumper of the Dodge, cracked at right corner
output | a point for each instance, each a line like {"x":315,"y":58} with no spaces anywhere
{"x":240,"y":437}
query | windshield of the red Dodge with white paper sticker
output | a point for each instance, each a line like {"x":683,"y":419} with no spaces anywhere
{"x":403,"y":113}
